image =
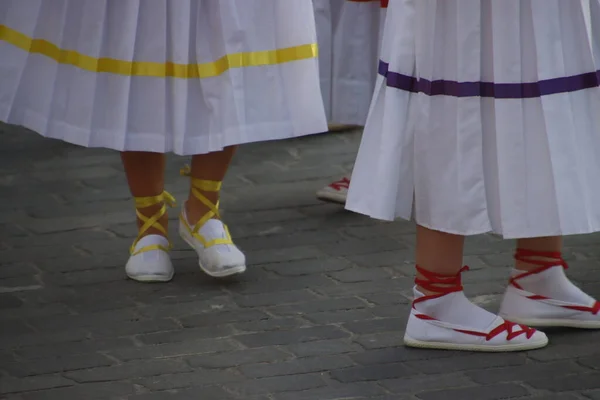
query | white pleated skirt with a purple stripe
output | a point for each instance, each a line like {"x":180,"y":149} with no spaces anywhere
{"x":485,"y":117}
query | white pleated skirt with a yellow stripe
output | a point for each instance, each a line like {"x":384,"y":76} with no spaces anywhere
{"x":187,"y":76}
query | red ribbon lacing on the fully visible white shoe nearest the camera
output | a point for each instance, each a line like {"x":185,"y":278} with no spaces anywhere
{"x":431,"y":282}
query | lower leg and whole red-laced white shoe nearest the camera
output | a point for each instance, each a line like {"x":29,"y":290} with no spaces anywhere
{"x":442,"y":317}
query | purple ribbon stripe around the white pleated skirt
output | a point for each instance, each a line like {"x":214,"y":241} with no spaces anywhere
{"x":489,"y":89}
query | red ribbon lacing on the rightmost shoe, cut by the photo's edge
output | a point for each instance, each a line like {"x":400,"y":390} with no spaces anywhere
{"x":545,"y":260}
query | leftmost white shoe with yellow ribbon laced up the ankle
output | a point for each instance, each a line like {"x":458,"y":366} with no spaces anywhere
{"x":149,"y":260}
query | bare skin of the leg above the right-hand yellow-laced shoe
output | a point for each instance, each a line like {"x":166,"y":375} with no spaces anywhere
{"x":208,"y":167}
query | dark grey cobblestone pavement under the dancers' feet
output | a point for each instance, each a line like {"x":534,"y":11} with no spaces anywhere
{"x":319,"y":314}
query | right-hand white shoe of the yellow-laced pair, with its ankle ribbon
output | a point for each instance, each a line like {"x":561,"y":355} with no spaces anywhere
{"x":218,"y":256}
